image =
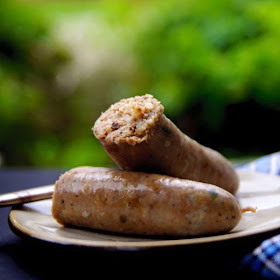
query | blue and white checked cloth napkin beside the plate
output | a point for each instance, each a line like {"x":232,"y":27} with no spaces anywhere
{"x":265,"y":259}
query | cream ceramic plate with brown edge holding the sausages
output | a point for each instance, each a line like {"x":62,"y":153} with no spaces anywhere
{"x":256,"y":190}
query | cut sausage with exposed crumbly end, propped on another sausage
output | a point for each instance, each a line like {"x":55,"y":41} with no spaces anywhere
{"x":138,"y":136}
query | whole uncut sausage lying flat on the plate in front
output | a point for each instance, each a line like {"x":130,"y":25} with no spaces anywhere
{"x":142,"y":203}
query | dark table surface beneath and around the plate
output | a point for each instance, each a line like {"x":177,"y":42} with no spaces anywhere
{"x":22,"y":258}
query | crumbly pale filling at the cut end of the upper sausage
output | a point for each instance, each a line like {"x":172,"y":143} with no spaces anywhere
{"x":128,"y":120}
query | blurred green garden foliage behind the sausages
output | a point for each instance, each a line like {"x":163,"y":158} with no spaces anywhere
{"x":214,"y":65}
